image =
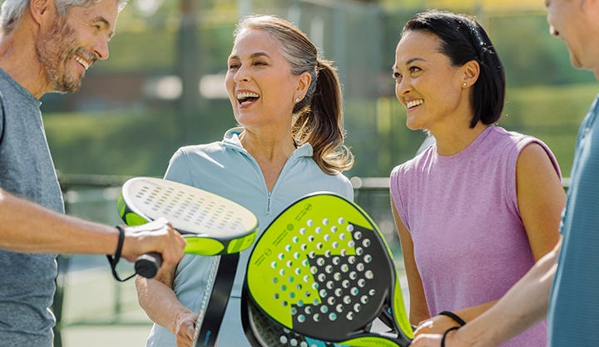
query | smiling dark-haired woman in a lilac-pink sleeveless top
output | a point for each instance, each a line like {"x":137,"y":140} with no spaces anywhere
{"x":475,"y":210}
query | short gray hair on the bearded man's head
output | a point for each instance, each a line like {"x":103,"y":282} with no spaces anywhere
{"x":12,"y":10}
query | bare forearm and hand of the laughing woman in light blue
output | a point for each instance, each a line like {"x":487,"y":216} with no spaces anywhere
{"x":162,"y":306}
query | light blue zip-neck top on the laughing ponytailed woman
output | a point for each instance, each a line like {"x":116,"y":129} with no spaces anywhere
{"x":227,"y":169}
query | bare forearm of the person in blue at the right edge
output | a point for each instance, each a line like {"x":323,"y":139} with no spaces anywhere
{"x":524,"y":305}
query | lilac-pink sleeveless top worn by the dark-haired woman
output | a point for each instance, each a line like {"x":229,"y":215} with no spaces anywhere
{"x":462,"y":212}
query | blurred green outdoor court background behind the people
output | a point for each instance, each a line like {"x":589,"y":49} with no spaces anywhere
{"x":163,"y":87}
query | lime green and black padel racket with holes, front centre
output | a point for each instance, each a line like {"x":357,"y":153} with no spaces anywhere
{"x":323,"y":270}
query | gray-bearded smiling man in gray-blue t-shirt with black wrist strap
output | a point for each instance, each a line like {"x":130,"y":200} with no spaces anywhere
{"x":46,"y":46}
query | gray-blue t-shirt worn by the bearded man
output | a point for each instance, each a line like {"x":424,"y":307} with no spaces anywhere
{"x":26,"y":170}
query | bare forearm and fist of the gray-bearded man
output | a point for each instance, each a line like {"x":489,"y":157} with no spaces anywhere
{"x":28,"y":227}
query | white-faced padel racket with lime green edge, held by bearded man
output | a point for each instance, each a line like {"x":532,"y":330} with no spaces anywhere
{"x":210,"y":224}
